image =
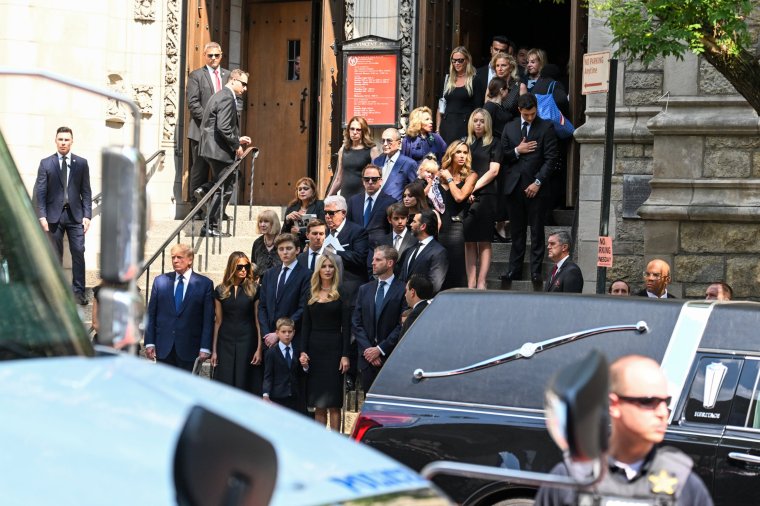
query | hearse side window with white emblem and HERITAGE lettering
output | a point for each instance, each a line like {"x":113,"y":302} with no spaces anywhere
{"x":712,"y":390}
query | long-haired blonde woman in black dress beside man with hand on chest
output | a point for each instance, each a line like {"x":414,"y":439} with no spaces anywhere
{"x":478,"y":225}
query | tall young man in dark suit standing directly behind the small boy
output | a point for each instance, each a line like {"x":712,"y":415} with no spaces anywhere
{"x":284,"y":290}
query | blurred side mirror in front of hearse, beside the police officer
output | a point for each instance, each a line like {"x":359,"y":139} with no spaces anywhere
{"x":577,"y":408}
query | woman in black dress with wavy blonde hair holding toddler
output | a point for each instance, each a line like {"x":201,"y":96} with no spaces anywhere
{"x":456,"y":180}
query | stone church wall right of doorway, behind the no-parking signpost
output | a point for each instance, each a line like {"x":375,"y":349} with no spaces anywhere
{"x":683,"y":124}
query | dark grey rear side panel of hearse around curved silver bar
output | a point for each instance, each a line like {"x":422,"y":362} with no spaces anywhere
{"x":465,"y":327}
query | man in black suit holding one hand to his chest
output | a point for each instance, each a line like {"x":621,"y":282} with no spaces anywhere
{"x":530,"y":155}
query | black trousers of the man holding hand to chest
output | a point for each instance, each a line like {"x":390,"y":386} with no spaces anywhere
{"x":524,"y":212}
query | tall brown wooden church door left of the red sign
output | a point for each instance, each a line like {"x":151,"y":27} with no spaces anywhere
{"x":277,"y":118}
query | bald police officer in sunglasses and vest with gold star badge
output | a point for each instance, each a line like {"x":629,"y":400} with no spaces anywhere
{"x":639,"y":472}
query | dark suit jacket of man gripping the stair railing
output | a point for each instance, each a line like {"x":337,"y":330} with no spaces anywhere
{"x":220,"y":130}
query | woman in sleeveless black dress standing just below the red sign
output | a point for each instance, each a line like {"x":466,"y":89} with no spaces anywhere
{"x":358,"y":151}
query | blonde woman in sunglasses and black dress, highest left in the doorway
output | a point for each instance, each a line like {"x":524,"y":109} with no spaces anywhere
{"x":462,"y":95}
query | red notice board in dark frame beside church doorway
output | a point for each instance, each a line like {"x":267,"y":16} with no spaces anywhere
{"x":371,"y":70}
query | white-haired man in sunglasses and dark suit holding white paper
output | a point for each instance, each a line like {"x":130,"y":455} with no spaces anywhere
{"x":353,"y":239}
